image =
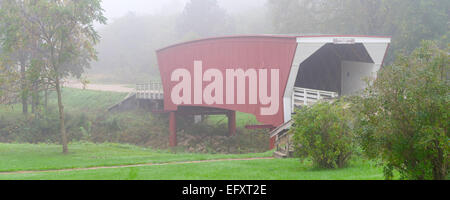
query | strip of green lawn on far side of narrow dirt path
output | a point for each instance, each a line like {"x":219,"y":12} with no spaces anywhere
{"x":20,"y":157}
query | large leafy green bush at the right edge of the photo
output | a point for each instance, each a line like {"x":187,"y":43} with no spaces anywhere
{"x":403,"y":116}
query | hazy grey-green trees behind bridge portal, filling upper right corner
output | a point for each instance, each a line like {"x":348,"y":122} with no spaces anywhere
{"x":407,"y":21}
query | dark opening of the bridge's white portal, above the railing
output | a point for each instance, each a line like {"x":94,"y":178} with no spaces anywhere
{"x":339,"y":68}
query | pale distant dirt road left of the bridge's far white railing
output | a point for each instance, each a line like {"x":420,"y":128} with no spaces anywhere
{"x":99,"y":87}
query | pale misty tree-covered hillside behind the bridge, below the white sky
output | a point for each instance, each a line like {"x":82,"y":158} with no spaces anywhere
{"x":128,"y":44}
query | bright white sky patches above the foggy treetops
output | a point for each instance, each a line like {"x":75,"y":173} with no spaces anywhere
{"x":118,"y":8}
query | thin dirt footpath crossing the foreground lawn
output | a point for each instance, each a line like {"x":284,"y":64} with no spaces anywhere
{"x":133,"y":165}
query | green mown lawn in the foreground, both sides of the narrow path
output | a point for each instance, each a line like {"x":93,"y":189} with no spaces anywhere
{"x":14,"y":157}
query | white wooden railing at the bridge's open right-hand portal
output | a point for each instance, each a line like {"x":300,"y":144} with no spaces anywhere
{"x":304,"y":96}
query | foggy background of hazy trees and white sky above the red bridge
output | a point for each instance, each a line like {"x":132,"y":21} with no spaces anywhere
{"x":136,"y":28}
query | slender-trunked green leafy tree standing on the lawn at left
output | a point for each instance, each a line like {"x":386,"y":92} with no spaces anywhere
{"x":69,"y":38}
